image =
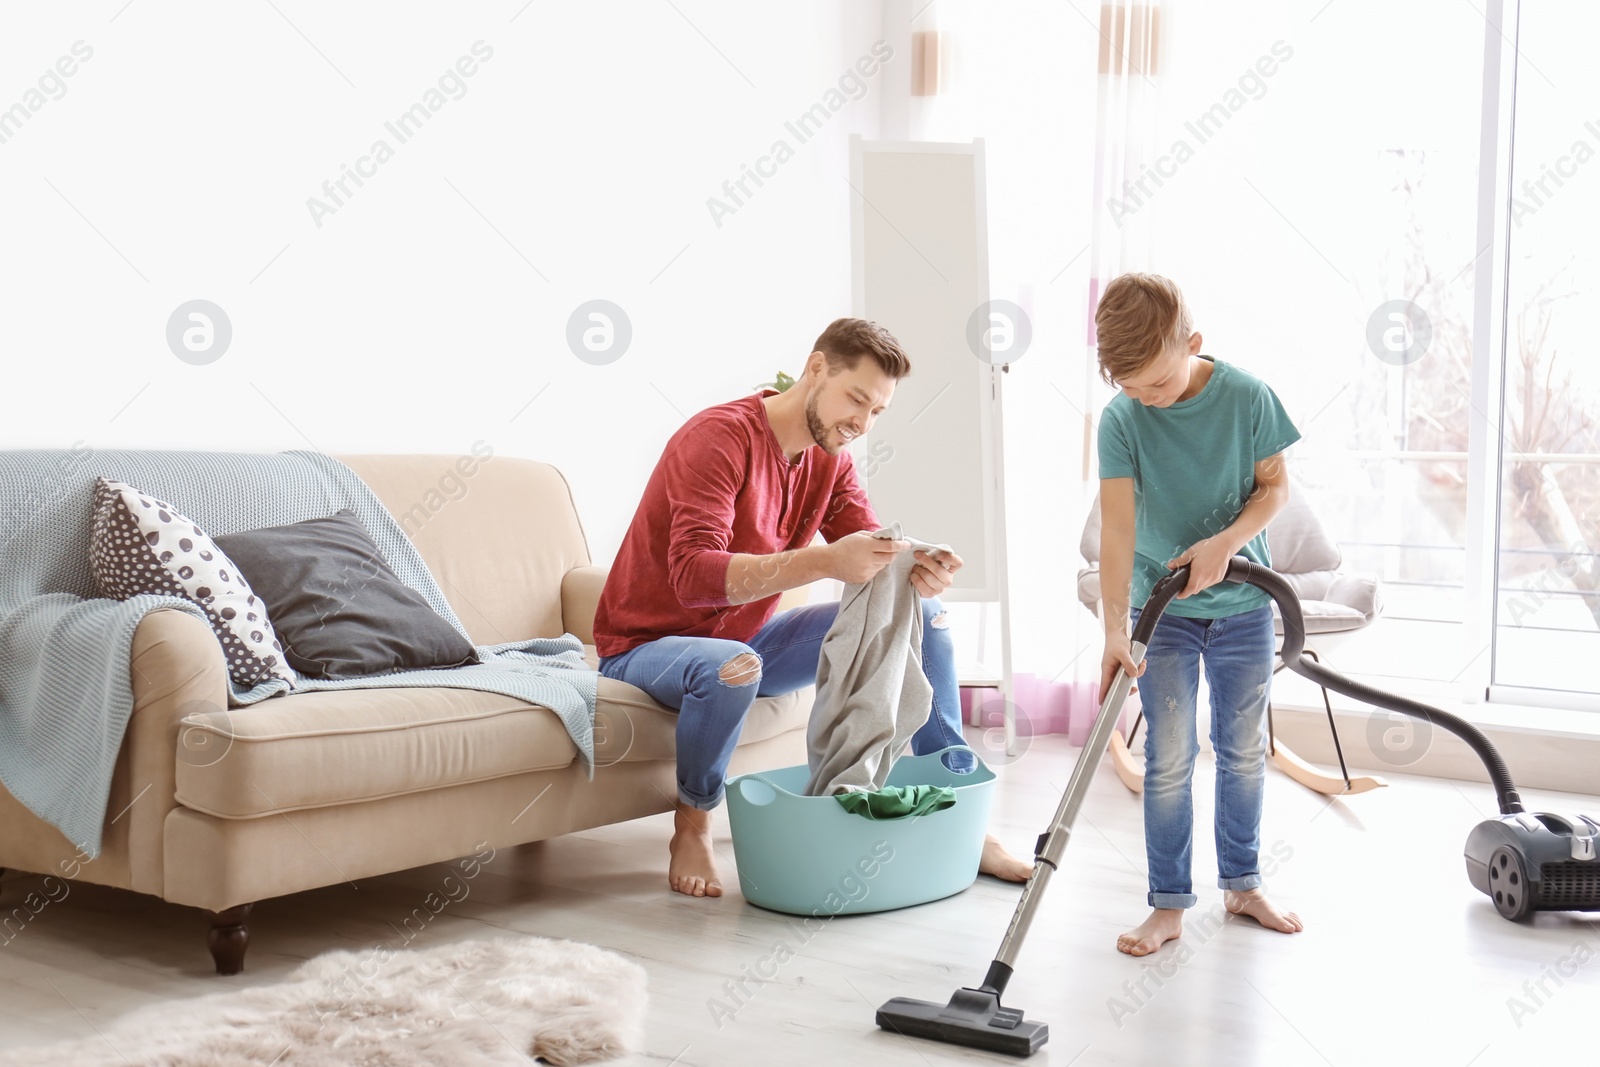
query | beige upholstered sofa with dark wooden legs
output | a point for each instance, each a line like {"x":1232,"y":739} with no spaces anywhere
{"x":217,"y":807}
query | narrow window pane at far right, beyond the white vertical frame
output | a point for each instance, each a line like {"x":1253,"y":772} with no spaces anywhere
{"x":1548,"y":455}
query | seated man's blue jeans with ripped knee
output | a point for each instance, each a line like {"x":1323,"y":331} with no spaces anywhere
{"x":684,"y":674}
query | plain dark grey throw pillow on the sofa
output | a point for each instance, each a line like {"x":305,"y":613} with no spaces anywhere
{"x":340,"y":610}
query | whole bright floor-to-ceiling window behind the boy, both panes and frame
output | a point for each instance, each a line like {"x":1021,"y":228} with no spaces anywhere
{"x":1327,"y":234}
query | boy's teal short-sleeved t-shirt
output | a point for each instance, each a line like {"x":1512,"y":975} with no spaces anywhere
{"x":1193,"y":468}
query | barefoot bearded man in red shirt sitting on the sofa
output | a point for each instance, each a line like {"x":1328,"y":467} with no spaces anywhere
{"x":726,"y":527}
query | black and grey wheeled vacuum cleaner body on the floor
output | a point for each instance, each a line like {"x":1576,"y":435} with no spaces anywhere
{"x":1537,"y":861}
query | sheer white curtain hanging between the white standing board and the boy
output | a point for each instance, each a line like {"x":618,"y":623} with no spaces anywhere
{"x":1065,"y":98}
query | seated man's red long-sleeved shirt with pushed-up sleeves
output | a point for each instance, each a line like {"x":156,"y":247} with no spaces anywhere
{"x":722,"y":487}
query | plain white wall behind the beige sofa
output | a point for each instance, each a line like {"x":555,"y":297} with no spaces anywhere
{"x":178,"y":159}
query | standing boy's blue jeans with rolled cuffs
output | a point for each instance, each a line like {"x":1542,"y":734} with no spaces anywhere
{"x":1239,"y":653}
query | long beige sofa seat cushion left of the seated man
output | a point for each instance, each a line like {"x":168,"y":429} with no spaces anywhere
{"x":321,"y":749}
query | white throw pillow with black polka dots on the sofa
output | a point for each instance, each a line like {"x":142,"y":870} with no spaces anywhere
{"x":140,"y":545}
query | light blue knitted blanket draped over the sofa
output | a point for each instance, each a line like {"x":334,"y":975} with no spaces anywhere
{"x":65,"y":684}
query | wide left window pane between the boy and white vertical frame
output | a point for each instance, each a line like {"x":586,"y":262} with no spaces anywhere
{"x":1326,"y":239}
